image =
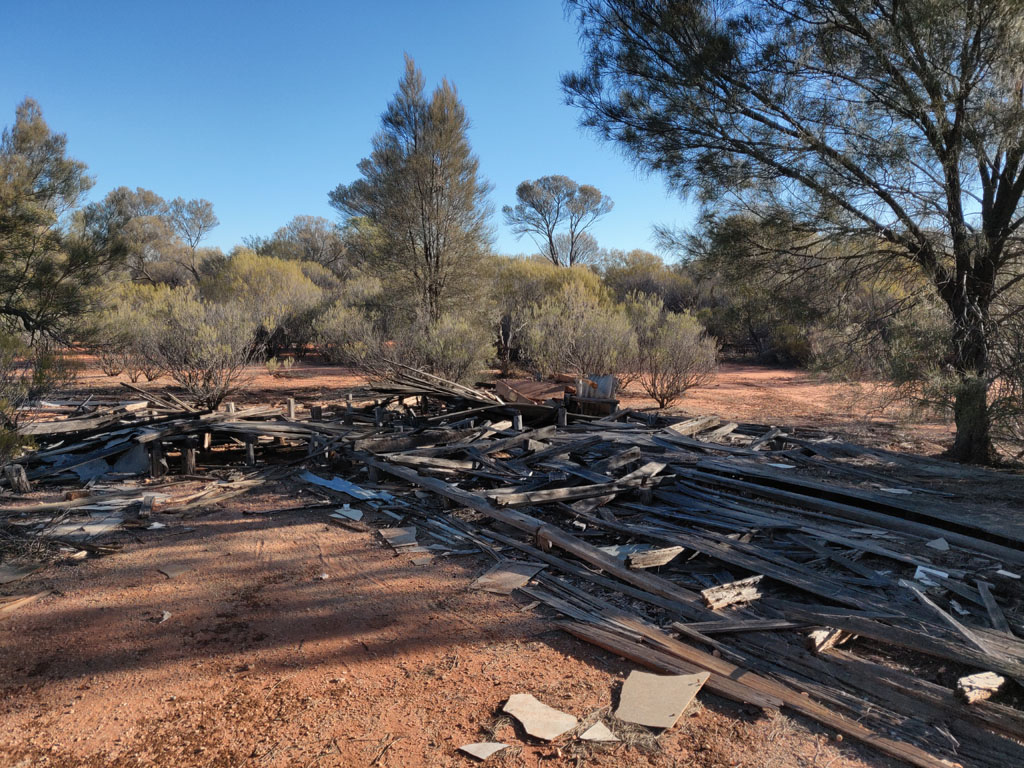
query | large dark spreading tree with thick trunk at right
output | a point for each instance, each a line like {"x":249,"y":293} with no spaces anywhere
{"x":895,"y":123}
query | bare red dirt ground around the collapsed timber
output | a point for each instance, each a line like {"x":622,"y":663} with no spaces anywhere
{"x":291,"y":643}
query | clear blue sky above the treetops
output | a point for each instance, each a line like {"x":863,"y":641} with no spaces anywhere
{"x":263,"y":108}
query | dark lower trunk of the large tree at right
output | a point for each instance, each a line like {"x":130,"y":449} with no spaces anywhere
{"x":973,"y":444}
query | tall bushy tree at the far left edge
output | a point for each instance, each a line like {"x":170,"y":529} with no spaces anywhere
{"x":52,"y":250}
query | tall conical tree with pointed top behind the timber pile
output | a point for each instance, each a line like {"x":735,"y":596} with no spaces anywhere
{"x":421,"y":196}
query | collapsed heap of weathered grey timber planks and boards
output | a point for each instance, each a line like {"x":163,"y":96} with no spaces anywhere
{"x":846,"y":584}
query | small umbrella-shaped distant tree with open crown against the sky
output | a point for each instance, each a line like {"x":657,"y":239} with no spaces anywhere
{"x":558,"y":212}
